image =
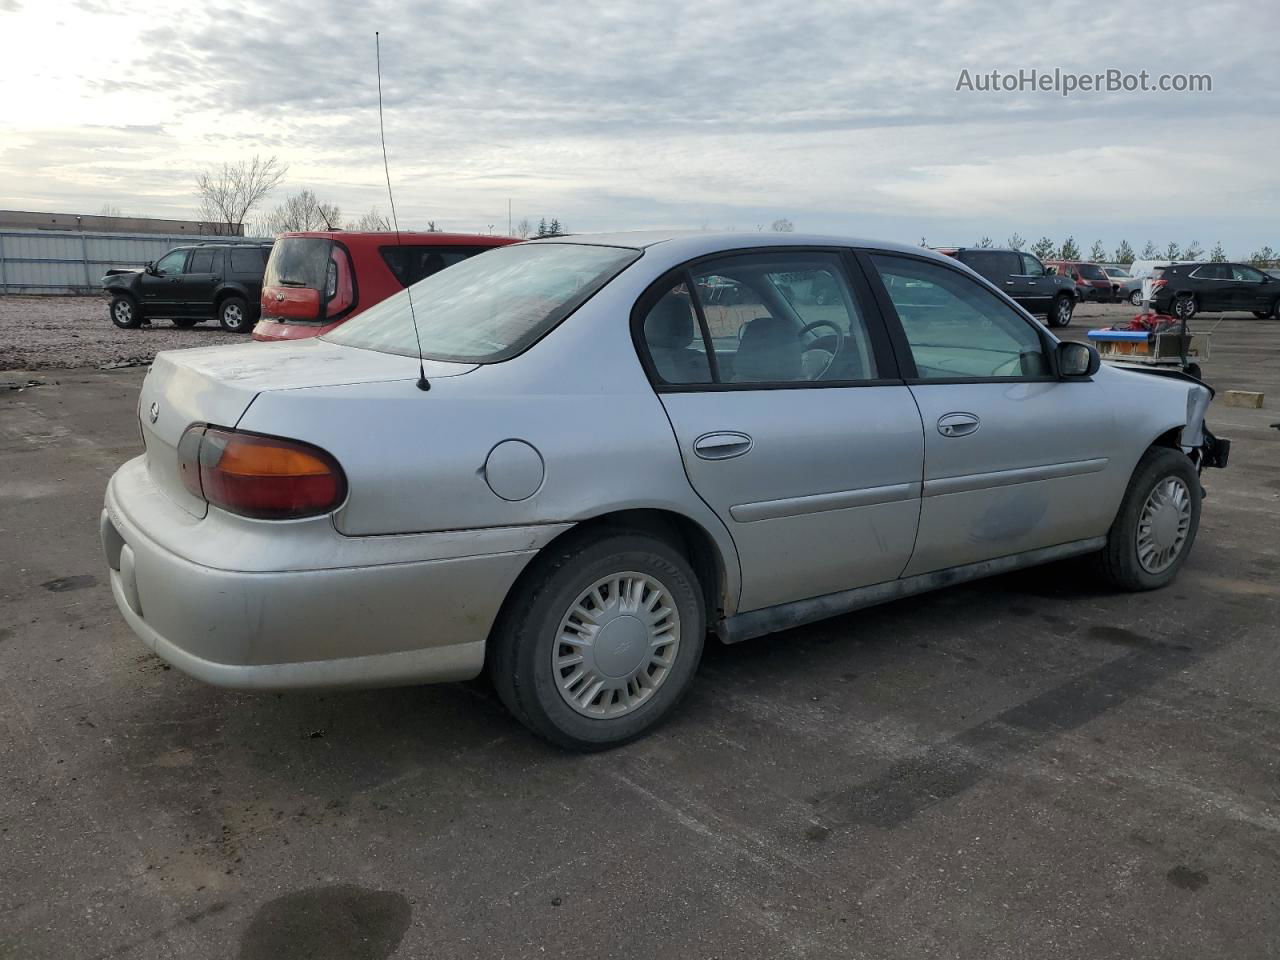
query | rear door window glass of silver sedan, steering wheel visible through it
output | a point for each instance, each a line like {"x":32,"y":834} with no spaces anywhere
{"x":771,"y":318}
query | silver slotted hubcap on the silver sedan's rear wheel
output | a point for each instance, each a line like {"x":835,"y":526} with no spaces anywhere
{"x":616,"y":644}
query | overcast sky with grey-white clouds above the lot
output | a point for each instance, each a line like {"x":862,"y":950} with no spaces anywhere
{"x":843,"y":117}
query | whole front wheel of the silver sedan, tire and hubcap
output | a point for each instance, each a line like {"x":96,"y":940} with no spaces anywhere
{"x":1156,"y":527}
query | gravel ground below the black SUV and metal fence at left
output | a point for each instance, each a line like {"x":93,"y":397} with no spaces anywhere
{"x":38,"y":333}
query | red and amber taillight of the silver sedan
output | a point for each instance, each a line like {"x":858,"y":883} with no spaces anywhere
{"x":266,"y":478}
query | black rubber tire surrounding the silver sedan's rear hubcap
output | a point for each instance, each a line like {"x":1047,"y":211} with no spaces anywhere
{"x":527,"y":636}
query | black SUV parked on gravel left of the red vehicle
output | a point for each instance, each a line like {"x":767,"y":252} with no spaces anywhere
{"x":189,"y":285}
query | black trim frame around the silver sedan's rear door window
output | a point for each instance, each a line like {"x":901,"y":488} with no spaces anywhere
{"x":865,"y":303}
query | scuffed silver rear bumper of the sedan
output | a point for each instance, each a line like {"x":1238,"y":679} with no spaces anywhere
{"x":385,"y":621}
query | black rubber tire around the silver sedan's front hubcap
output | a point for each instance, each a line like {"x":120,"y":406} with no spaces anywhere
{"x":1121,"y":564}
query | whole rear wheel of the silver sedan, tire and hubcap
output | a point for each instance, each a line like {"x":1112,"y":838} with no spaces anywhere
{"x":601,"y":641}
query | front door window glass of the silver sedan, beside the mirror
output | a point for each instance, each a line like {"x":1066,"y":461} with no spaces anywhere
{"x":957,"y":330}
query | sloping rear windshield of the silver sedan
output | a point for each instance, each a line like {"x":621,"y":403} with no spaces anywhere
{"x":491,"y":308}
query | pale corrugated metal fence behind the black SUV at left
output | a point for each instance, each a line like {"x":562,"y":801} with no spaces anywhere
{"x":43,"y":262}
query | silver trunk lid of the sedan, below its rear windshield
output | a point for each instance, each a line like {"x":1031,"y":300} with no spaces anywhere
{"x":218,"y":385}
